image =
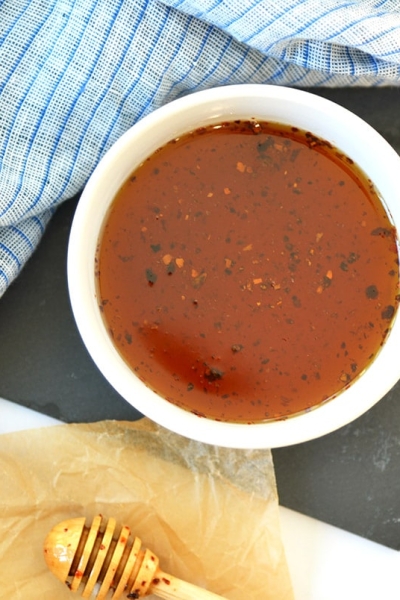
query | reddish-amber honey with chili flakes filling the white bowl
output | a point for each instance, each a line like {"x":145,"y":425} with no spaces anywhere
{"x":248,"y":271}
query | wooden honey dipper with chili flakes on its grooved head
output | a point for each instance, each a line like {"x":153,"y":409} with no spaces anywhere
{"x":91,"y":559}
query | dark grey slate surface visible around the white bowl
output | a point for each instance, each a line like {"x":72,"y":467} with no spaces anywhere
{"x":350,"y":478}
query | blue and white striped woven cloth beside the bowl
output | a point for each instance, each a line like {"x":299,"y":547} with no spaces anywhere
{"x":75,"y":74}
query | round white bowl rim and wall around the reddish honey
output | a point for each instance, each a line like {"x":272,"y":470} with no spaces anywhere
{"x":298,"y":108}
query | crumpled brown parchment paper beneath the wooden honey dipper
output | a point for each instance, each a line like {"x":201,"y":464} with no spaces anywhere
{"x":210,"y":514}
